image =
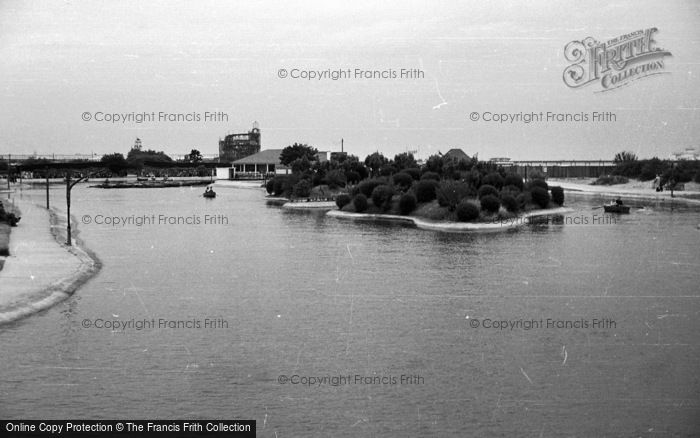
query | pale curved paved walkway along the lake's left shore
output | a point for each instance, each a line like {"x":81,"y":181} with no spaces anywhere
{"x":39,"y":271}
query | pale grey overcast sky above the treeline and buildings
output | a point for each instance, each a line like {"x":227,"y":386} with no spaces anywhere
{"x":63,"y":58}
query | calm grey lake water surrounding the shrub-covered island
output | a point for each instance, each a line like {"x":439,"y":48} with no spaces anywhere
{"x":305,"y":295}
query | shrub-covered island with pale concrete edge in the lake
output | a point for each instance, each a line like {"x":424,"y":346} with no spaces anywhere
{"x":447,"y":189}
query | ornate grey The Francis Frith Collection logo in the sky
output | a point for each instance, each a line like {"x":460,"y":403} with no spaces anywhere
{"x":614,"y":63}
